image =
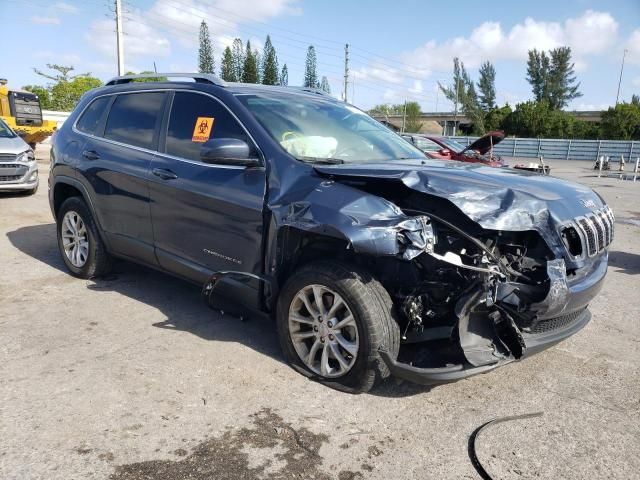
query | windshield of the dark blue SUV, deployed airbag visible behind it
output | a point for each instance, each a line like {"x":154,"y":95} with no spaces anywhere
{"x":320,"y":130}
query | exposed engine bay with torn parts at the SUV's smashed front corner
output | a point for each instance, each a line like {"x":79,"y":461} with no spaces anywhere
{"x":466,"y":296}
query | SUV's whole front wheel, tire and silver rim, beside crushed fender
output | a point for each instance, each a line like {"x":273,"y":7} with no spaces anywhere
{"x":332,"y":321}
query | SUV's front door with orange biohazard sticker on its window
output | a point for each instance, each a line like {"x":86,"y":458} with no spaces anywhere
{"x":206,"y":218}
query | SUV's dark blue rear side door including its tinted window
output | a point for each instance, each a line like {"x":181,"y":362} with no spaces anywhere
{"x":116,"y":163}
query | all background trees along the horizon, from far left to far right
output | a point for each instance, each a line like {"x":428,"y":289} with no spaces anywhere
{"x":551,"y":75}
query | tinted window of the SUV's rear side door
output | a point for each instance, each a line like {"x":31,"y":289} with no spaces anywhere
{"x":133,"y":118}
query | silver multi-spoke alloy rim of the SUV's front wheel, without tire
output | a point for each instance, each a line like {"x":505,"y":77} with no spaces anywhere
{"x":323,"y":331}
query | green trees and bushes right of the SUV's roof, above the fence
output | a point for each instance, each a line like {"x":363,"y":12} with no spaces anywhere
{"x":554,"y":85}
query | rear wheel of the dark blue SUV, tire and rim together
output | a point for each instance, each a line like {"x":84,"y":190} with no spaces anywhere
{"x":79,"y":242}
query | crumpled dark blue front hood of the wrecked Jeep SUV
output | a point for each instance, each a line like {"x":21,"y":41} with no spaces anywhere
{"x":497,"y":199}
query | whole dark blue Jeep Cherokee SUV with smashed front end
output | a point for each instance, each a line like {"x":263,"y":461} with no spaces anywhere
{"x":373,"y":260}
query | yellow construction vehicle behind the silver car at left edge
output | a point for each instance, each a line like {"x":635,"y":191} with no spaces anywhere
{"x":21,"y":111}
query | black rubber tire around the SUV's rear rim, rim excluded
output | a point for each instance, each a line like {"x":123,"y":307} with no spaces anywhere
{"x":98,"y":261}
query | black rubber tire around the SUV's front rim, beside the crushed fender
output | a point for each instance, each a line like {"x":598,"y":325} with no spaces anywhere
{"x":374,"y":315}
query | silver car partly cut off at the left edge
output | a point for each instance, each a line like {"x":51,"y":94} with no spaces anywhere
{"x":18,"y":166}
